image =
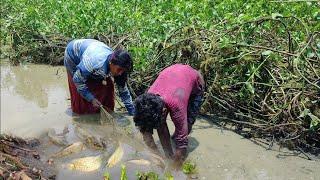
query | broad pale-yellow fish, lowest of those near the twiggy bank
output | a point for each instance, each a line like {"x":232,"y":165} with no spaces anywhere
{"x":86,"y":164}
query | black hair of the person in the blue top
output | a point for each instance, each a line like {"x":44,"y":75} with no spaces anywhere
{"x":123,"y":59}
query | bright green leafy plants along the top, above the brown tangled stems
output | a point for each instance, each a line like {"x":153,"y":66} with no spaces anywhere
{"x":149,"y":21}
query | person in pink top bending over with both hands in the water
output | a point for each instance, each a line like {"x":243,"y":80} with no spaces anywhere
{"x":178,"y":90}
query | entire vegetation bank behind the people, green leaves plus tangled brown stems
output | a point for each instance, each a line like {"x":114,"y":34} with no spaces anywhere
{"x":260,"y":59}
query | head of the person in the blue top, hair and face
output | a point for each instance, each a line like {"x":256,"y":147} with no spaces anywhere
{"x":120,"y":62}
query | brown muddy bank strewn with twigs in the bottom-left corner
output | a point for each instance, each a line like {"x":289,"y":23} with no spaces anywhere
{"x":19,"y":159}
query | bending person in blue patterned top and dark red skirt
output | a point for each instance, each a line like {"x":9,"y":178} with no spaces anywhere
{"x":90,"y":65}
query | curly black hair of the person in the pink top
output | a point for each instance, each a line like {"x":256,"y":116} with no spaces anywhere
{"x":148,"y":113}
